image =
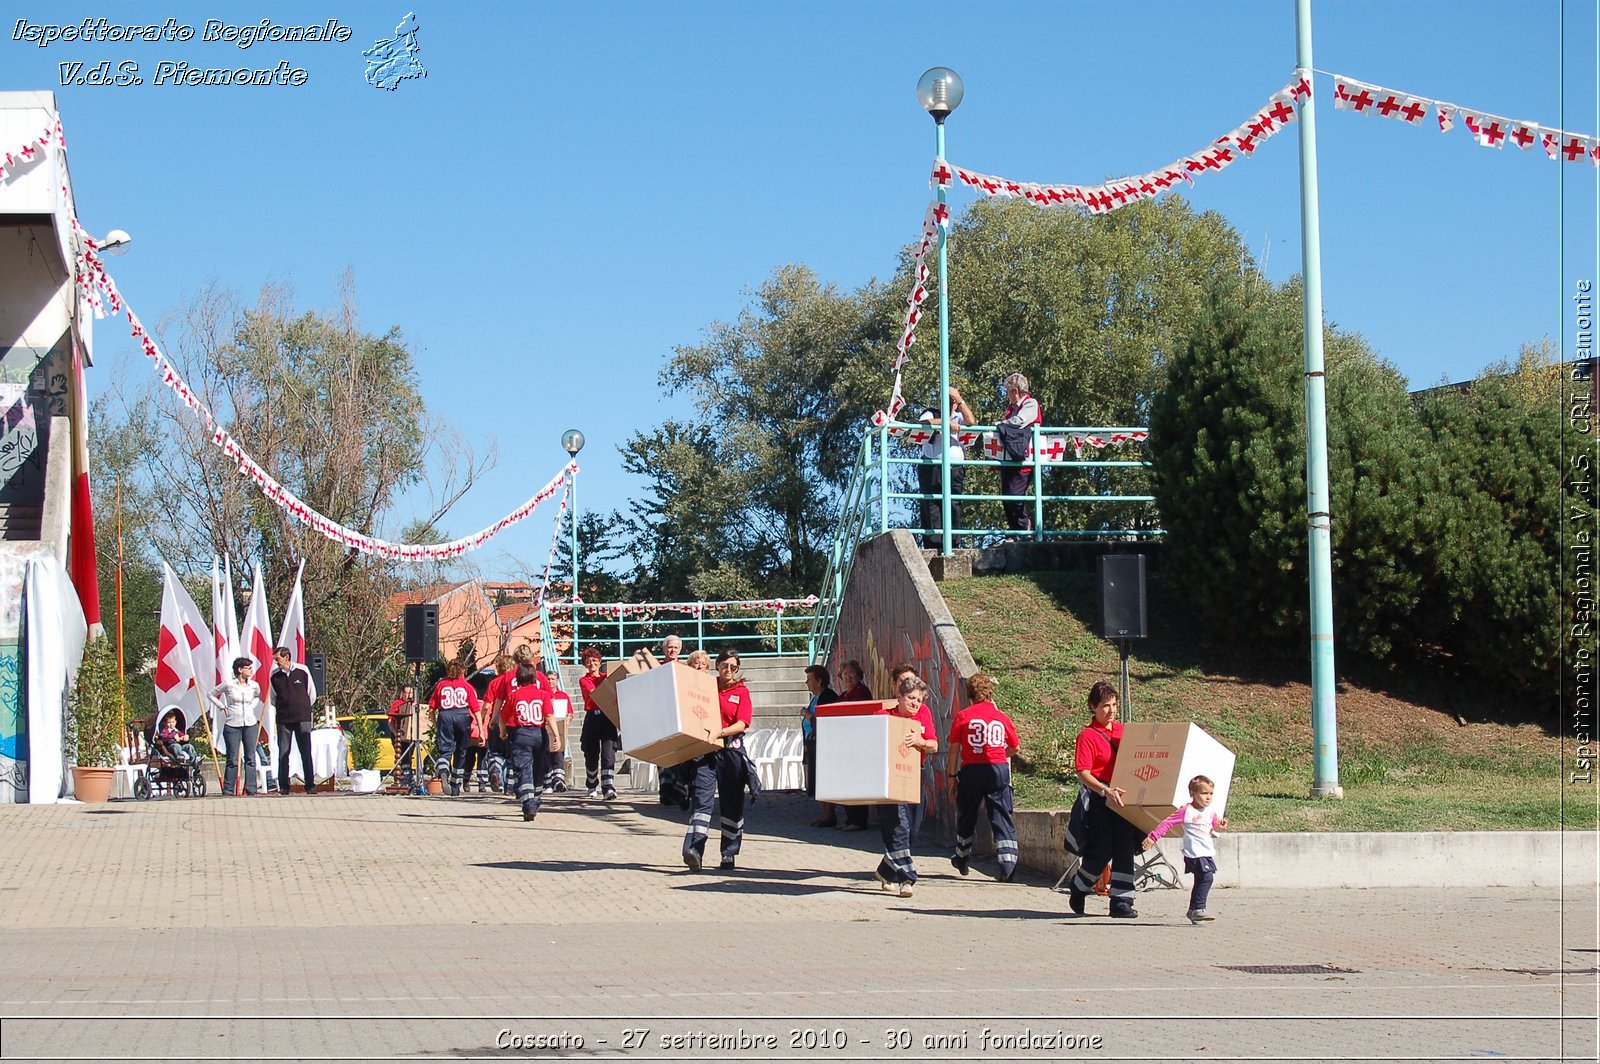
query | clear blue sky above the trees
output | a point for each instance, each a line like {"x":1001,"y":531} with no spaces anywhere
{"x":575,"y":190}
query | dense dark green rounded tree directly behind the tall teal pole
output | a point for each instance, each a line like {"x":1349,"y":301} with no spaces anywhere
{"x":1228,"y":442}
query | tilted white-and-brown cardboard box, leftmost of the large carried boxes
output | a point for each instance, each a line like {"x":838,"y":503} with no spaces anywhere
{"x":670,"y":714}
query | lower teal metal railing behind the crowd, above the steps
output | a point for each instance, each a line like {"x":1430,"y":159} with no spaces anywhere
{"x":618,"y":628}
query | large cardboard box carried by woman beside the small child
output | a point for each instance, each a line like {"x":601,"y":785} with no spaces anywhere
{"x":1156,"y":764}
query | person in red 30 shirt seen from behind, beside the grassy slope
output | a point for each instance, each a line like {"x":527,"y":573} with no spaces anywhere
{"x":983,"y":742}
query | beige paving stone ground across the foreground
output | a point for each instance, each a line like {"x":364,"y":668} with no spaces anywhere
{"x":372,"y":929}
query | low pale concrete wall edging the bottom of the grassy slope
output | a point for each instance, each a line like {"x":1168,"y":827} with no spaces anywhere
{"x":1358,"y":860}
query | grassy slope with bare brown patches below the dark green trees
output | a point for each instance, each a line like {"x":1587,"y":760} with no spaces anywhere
{"x":1414,"y":756}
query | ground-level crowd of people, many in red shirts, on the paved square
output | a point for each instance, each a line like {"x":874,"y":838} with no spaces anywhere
{"x":521,"y":751}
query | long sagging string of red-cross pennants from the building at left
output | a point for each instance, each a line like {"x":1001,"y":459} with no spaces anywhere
{"x":102,"y":295}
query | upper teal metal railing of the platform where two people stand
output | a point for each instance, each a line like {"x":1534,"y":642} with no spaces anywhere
{"x":871,"y":502}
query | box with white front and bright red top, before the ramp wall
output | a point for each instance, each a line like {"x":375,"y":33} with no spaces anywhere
{"x":862,"y":759}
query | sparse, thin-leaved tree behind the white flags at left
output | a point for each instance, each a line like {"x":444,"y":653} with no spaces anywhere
{"x":329,"y":410}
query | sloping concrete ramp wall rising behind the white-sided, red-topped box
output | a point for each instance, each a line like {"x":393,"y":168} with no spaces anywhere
{"x":894,"y":612}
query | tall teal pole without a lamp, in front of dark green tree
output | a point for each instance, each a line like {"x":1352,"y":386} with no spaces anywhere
{"x":1324,"y":705}
